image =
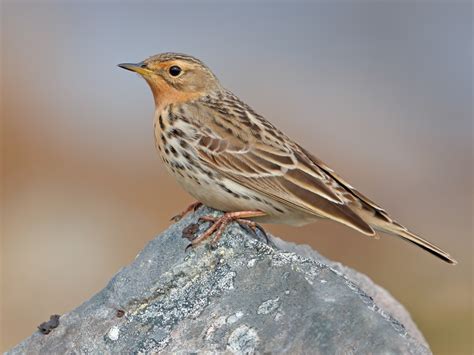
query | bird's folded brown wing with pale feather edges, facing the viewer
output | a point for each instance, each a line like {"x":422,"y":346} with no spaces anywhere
{"x":281,"y":173}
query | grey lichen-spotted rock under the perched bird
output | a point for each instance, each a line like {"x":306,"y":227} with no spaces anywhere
{"x":244,"y":297}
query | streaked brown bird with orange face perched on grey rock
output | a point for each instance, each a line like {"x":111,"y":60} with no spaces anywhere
{"x":230,"y":158}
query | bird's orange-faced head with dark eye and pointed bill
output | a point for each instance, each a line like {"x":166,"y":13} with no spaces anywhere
{"x":175,"y":78}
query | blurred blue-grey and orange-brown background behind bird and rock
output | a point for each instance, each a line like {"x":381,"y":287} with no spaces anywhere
{"x":381,"y":91}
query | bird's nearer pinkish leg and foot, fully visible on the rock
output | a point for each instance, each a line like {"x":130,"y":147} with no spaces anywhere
{"x":220,"y":223}
